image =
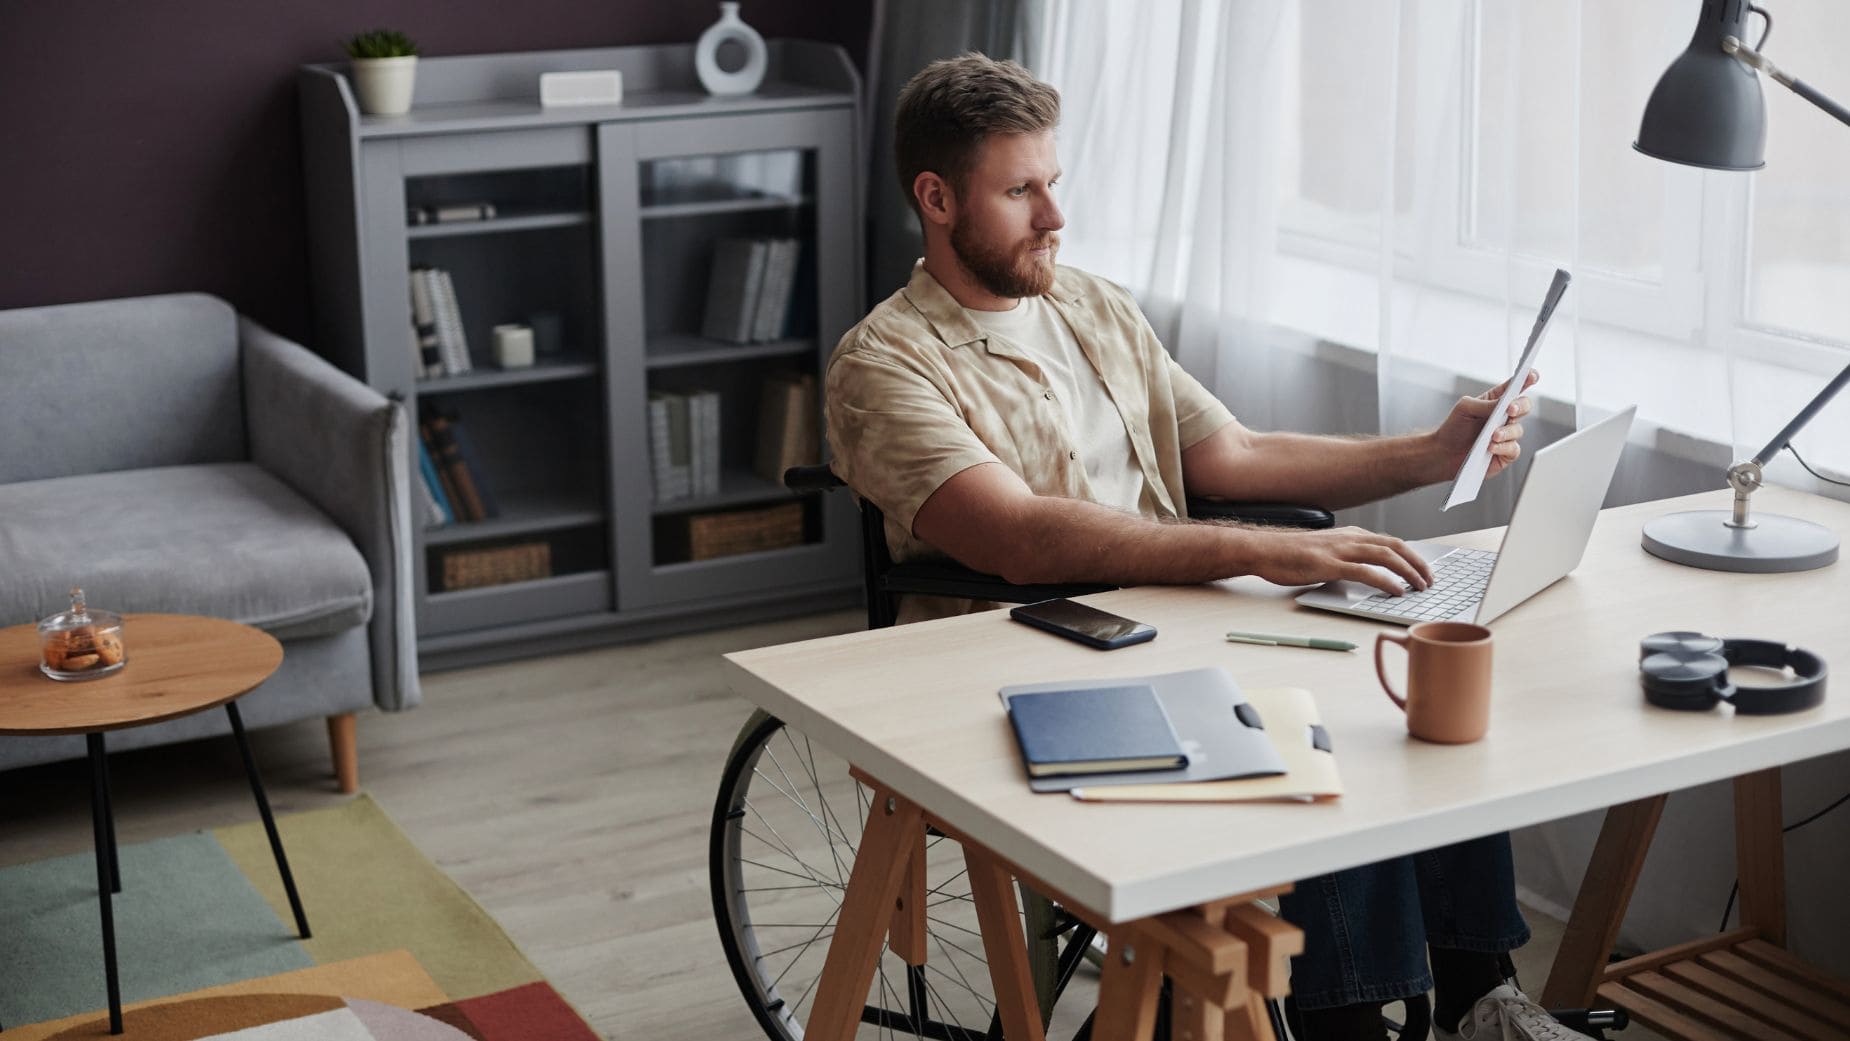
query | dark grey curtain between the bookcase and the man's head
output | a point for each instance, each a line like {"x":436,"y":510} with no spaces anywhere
{"x":907,"y":36}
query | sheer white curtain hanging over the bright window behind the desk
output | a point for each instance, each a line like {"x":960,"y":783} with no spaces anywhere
{"x":1344,"y":214}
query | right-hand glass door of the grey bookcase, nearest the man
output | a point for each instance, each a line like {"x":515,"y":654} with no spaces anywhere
{"x":732,"y":271}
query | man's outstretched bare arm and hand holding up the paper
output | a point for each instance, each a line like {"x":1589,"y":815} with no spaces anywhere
{"x":1335,"y":472}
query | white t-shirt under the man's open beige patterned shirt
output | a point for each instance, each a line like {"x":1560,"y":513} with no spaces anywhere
{"x":1092,"y":421}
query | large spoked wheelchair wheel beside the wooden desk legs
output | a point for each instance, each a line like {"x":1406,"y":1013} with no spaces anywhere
{"x":785,"y":829}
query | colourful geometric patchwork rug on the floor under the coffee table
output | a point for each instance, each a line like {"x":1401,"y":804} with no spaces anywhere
{"x":206,"y":946}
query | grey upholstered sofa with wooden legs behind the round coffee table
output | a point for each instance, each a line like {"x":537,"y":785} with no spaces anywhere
{"x":169,"y":456}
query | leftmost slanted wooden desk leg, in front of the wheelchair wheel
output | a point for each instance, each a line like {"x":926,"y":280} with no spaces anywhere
{"x":894,"y":827}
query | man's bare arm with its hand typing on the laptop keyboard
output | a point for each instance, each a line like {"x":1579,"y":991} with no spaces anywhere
{"x":991,"y":520}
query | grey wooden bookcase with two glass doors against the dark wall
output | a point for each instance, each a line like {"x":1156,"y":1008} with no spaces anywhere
{"x":606,"y":230}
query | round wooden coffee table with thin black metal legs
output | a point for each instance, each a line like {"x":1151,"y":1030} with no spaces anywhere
{"x":179,"y":665}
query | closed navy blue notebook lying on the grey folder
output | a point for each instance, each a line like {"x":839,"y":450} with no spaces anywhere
{"x":1094,"y":731}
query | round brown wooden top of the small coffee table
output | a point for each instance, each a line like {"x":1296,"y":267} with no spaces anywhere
{"x":177,"y":665}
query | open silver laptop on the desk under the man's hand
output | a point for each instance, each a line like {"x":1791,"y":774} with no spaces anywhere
{"x":1548,"y":535}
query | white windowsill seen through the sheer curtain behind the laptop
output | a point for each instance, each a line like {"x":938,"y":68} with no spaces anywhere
{"x":1681,"y":389}
